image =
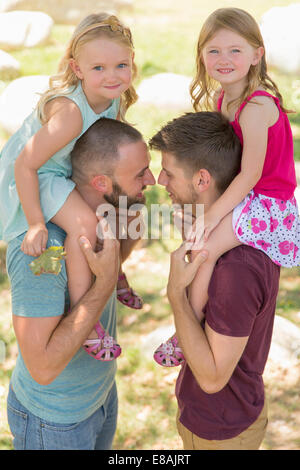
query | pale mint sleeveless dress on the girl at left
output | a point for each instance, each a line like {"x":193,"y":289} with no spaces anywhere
{"x":54,"y":176}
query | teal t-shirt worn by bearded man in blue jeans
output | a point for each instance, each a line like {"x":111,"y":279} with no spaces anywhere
{"x":82,"y":387}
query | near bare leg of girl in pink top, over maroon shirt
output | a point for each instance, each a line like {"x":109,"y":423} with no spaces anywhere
{"x":221,"y":240}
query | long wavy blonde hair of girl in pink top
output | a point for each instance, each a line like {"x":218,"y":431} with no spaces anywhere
{"x":239,"y":21}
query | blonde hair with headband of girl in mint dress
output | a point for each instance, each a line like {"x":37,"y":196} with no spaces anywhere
{"x":91,"y":27}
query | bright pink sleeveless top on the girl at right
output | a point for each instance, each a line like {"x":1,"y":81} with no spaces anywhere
{"x":278,"y":177}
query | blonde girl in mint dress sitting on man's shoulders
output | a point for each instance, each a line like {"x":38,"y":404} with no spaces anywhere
{"x":35,"y":165}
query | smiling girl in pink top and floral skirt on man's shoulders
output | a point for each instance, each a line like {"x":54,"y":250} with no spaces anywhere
{"x":258,"y":208}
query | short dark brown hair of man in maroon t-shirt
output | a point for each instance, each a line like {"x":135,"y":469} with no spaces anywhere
{"x":202,"y":140}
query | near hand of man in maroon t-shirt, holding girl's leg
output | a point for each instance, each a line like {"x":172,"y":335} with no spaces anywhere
{"x":182,"y":272}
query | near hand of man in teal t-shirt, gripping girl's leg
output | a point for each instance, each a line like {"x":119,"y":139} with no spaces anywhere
{"x":105,"y":263}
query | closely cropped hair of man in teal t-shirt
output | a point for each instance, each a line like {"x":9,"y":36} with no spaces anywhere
{"x":98,"y":148}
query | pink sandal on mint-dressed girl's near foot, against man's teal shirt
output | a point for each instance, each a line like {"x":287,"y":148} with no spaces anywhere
{"x":109,"y":349}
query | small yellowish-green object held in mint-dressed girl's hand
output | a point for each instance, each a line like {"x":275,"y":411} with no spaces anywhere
{"x":49,"y":261}
